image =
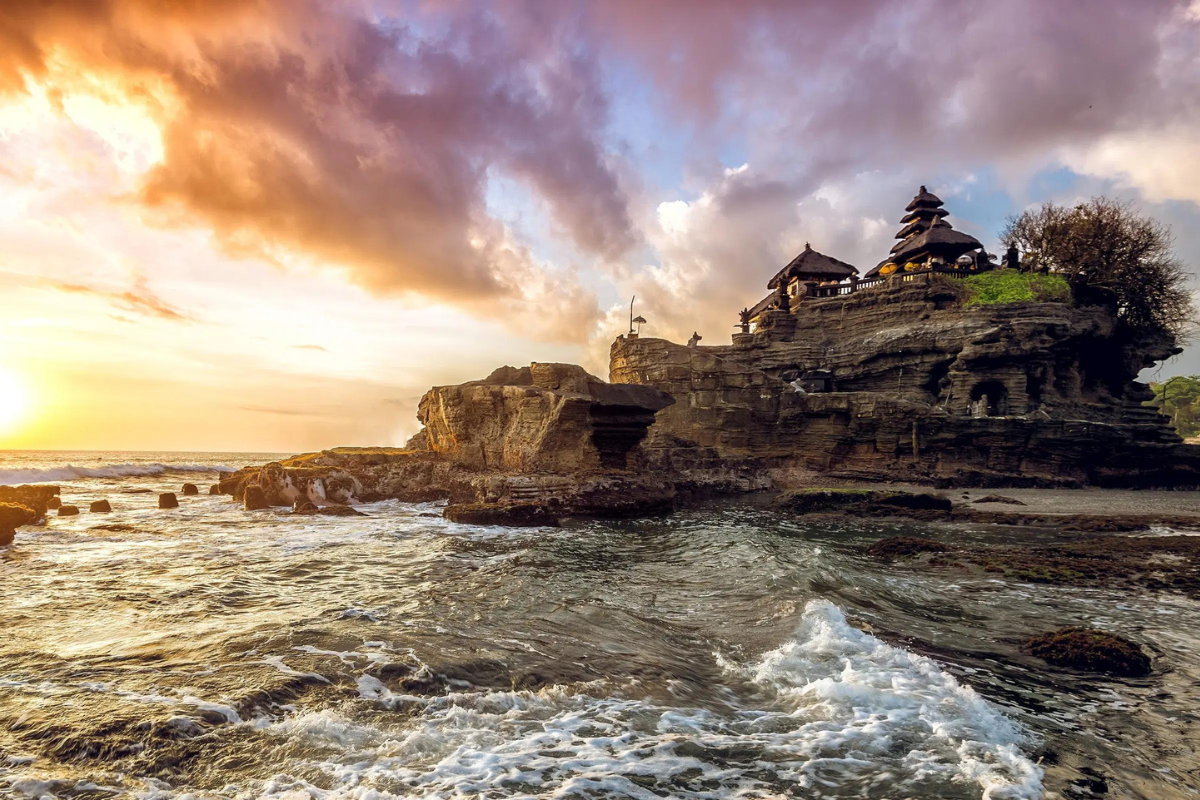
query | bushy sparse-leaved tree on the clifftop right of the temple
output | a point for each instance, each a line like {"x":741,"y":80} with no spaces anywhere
{"x":1115,"y":248}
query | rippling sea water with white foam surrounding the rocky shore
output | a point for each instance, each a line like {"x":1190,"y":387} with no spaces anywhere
{"x":725,"y":652}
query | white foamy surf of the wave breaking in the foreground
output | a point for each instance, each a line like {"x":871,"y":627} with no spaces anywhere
{"x":836,"y":713}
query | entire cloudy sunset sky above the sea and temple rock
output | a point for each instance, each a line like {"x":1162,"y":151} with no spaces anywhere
{"x":272,"y":225}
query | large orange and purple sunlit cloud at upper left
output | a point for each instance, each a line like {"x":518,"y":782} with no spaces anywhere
{"x":315,"y":129}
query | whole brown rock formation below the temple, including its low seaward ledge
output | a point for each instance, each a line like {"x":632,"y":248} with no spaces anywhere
{"x":902,"y":381}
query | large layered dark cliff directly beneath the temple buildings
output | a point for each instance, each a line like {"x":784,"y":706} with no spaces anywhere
{"x":910,"y":374}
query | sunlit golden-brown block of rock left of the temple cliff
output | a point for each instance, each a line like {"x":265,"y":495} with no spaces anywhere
{"x":547,"y":418}
